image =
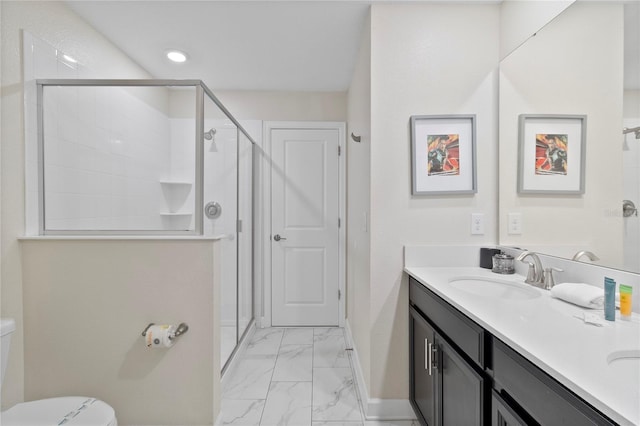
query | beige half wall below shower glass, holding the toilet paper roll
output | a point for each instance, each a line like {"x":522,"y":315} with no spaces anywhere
{"x":88,"y":302}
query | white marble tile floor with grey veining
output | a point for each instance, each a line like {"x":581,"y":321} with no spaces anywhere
{"x":294,"y":376}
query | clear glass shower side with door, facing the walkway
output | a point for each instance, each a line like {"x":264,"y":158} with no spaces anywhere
{"x":228,"y":182}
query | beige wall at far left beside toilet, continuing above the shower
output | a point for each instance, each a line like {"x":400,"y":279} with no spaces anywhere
{"x":54,"y":23}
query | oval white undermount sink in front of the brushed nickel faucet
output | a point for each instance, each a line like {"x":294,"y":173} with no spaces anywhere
{"x":494,"y":288}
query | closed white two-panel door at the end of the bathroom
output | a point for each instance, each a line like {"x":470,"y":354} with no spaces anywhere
{"x":304,"y":227}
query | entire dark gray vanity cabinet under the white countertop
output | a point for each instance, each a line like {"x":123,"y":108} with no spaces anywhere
{"x":463,"y":375}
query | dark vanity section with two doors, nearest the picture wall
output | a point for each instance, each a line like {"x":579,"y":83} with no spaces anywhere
{"x":447,"y":386}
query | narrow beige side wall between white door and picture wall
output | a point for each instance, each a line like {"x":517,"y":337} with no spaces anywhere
{"x":358,"y":203}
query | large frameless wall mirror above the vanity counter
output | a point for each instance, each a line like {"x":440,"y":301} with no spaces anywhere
{"x":585,"y":61}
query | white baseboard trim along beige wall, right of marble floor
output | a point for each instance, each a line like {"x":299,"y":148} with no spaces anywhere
{"x":375,"y":408}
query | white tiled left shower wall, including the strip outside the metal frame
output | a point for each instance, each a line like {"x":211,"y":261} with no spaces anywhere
{"x":106,"y":149}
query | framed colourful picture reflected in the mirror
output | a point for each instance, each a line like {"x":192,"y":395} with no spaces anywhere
{"x":551,"y":154}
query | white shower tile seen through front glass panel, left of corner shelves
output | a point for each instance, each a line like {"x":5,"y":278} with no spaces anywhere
{"x":104,"y":162}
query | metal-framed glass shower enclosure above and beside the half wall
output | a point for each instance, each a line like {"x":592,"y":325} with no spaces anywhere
{"x":155,"y":158}
